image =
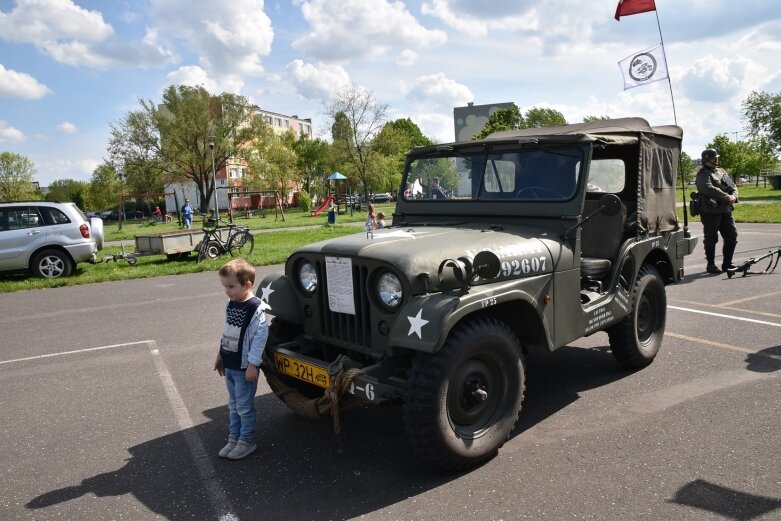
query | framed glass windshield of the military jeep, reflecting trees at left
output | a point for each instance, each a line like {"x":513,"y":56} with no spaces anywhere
{"x":536,"y":174}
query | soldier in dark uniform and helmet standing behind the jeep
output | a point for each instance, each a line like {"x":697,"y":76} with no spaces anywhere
{"x":717,"y":195}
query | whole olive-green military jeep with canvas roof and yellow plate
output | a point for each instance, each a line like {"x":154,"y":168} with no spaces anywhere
{"x":540,"y":236}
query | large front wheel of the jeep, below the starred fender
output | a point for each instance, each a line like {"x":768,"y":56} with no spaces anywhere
{"x":463,"y":401}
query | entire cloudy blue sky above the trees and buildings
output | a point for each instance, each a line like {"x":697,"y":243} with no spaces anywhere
{"x":68,"y":69}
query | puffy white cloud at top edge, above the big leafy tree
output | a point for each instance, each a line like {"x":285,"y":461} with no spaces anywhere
{"x":228,"y":37}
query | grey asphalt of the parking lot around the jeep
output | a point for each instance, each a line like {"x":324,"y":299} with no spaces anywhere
{"x":110,"y":410}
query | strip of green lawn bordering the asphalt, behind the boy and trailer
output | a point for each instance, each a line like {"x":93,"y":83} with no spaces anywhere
{"x":270,"y":248}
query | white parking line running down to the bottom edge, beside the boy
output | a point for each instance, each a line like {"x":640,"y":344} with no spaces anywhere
{"x":217,"y":496}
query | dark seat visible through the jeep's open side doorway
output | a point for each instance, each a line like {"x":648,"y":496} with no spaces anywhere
{"x":600,"y":239}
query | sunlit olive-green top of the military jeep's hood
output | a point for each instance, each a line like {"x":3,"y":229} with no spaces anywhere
{"x":421,"y":250}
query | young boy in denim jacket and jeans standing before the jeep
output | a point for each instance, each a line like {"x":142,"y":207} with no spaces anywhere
{"x":241,"y":351}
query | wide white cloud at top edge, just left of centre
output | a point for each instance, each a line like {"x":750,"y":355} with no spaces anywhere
{"x":343,"y":29}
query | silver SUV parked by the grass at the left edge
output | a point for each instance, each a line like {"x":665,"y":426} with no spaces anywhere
{"x":48,"y":238}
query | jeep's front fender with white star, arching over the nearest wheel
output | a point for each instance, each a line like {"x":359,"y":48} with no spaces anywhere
{"x":425,"y":321}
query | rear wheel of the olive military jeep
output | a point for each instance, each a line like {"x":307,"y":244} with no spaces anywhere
{"x":635,"y":340}
